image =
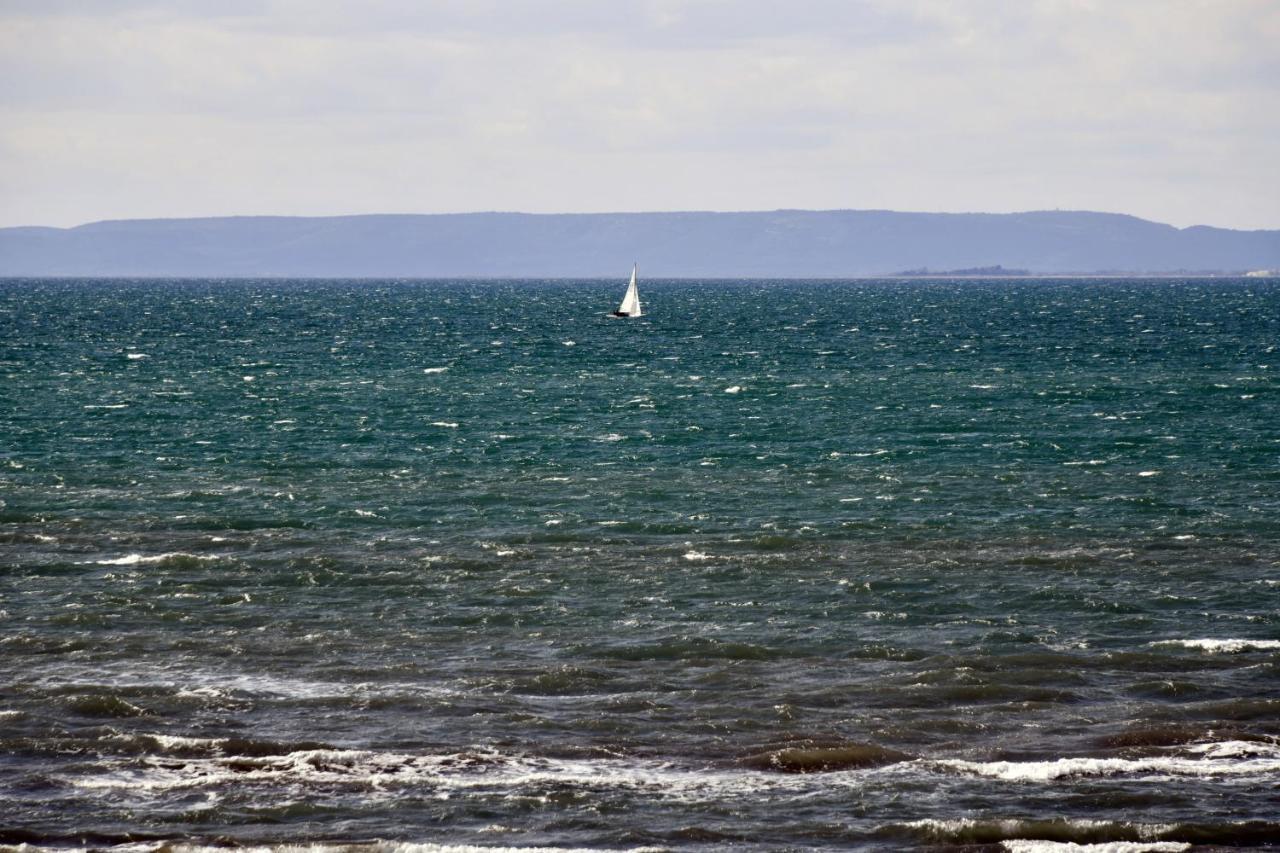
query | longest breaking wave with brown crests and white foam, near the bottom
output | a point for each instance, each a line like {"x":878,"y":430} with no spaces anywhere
{"x":171,"y":763}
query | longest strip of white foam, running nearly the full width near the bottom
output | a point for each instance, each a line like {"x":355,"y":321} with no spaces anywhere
{"x":484,"y":773}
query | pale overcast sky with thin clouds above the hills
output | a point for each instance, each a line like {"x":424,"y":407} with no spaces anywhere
{"x":120,"y":110}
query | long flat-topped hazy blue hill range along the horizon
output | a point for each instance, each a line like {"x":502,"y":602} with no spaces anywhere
{"x":783,"y":244}
